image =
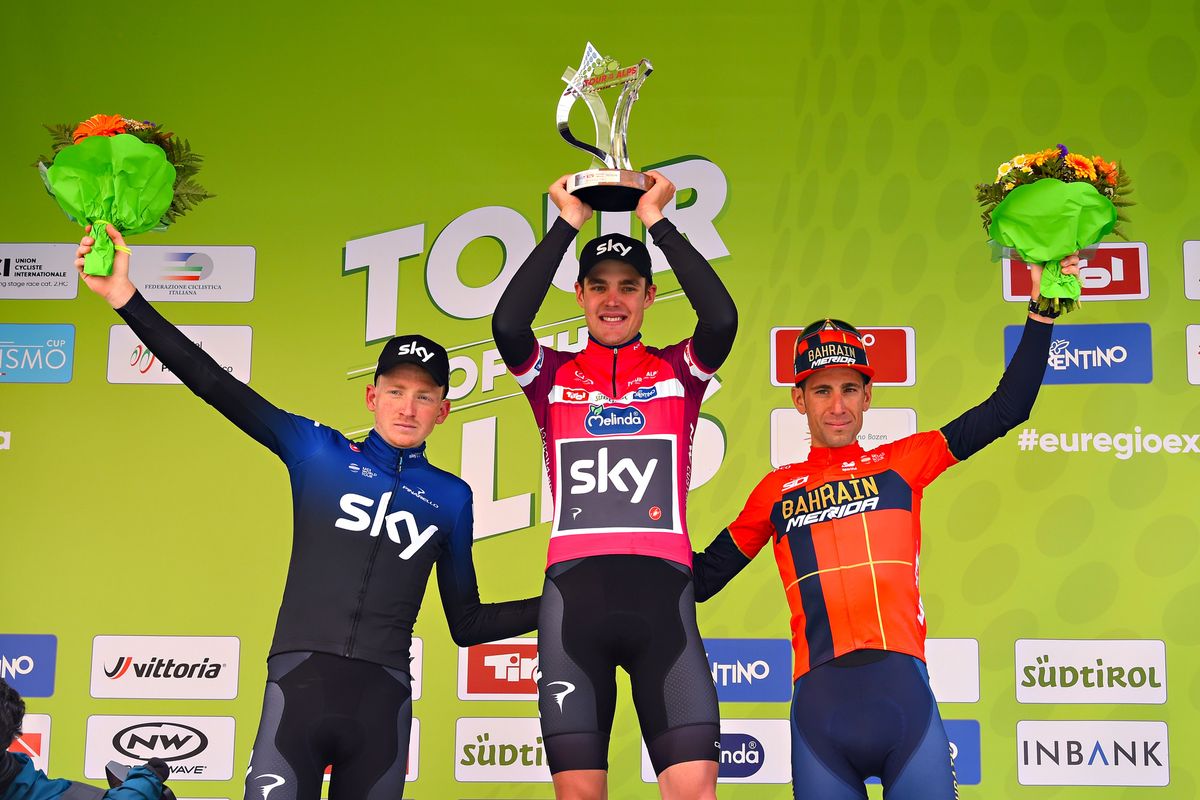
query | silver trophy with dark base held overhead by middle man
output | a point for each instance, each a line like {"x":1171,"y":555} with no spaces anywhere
{"x":611,"y":185}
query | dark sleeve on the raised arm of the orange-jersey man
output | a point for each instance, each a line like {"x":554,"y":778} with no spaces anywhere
{"x":1013,"y":400}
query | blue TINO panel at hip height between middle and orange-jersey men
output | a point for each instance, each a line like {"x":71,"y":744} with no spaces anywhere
{"x":751,"y":671}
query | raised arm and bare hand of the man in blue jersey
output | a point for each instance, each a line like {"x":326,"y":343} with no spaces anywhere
{"x":239,"y":404}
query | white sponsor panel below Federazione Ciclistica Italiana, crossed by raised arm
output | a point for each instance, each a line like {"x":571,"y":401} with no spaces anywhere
{"x":133,"y":363}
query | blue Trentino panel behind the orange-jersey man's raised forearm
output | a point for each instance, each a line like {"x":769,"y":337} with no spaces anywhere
{"x":1094,"y":354}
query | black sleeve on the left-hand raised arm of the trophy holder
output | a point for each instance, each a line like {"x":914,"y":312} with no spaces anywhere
{"x":513,"y":320}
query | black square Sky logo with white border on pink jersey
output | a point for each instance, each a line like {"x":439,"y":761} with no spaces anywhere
{"x":615,"y":484}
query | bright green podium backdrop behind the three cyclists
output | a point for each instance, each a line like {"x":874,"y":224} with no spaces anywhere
{"x":850,"y":136}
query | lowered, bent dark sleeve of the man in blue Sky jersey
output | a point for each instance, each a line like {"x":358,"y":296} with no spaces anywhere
{"x":470,"y":621}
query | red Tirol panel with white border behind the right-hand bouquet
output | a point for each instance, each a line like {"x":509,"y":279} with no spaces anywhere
{"x":1112,"y":272}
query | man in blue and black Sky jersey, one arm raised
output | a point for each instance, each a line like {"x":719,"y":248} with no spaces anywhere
{"x":371,"y":520}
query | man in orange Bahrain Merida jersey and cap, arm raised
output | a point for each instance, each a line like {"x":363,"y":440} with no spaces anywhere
{"x":847,"y":531}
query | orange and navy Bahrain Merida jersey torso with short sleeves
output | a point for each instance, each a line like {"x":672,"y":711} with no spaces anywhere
{"x":847,"y":530}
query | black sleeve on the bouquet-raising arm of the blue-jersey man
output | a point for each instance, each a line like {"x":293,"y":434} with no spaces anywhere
{"x":235,"y":400}
